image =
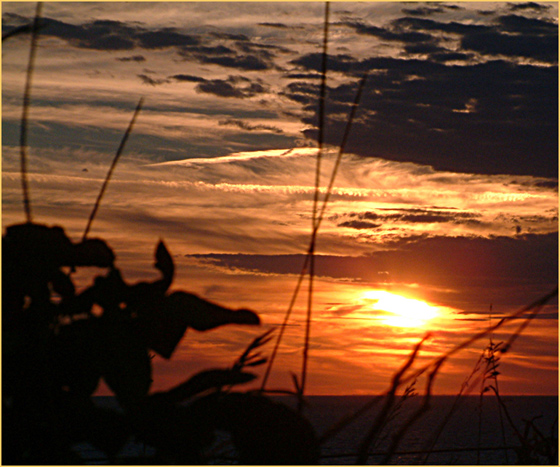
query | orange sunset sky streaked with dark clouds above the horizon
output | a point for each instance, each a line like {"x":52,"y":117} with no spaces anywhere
{"x":445,"y":205}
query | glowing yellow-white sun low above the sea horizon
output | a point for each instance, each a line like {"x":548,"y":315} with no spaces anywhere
{"x":396,"y":310}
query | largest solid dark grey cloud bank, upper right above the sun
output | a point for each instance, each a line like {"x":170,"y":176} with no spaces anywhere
{"x":418,"y":111}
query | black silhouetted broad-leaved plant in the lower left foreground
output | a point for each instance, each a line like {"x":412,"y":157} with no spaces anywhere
{"x":58,"y":344}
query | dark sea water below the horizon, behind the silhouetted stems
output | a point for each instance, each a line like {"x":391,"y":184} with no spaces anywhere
{"x":477,"y":431}
